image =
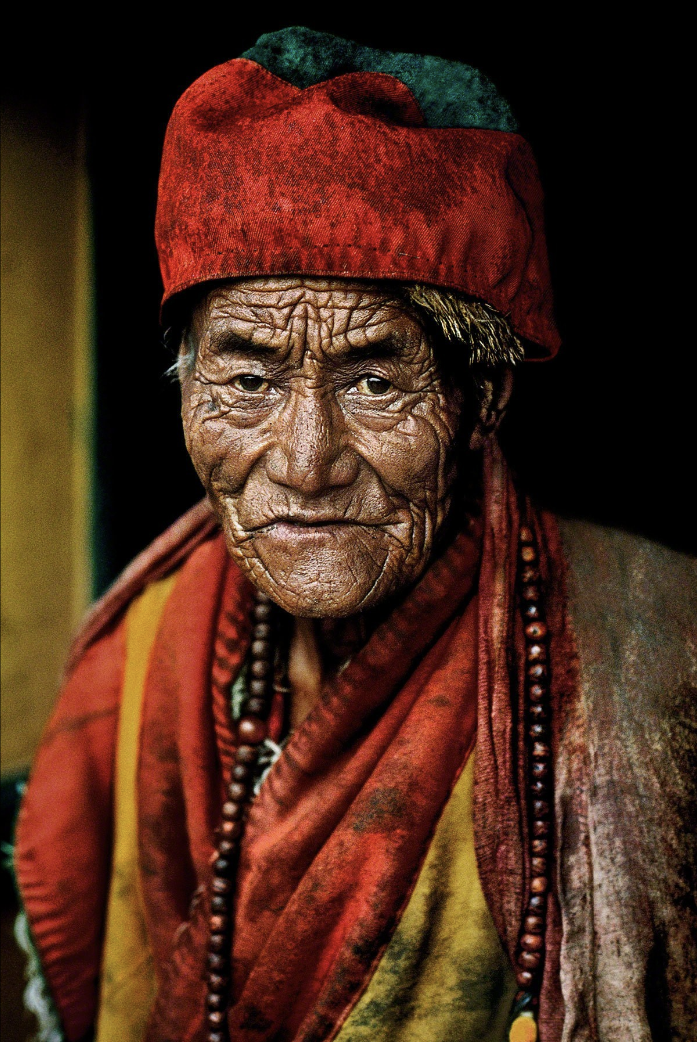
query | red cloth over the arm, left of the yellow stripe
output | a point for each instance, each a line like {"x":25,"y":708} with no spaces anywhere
{"x":64,"y":839}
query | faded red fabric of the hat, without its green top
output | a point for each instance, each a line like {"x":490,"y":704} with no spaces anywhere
{"x":345,"y":180}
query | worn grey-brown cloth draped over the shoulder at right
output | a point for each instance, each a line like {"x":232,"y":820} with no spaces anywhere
{"x":627,"y":792}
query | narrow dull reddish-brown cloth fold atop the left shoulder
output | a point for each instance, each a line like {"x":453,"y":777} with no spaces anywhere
{"x":164,"y":556}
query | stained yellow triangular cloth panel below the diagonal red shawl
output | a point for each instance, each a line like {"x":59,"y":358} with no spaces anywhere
{"x":444,"y":974}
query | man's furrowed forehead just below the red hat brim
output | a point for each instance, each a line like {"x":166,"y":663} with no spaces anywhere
{"x":285,"y":311}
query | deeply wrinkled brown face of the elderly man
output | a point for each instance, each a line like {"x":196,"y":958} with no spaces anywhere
{"x":325,"y":434}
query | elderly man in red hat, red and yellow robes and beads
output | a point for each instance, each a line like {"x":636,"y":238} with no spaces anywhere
{"x":365,"y":747}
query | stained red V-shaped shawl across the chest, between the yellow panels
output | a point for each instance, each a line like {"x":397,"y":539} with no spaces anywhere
{"x":355,"y":798}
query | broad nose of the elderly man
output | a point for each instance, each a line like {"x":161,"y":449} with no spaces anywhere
{"x":310,"y":453}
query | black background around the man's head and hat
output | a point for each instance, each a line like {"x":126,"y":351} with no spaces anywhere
{"x":606,"y":432}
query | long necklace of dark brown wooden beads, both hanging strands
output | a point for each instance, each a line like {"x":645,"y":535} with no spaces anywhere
{"x":253,"y":735}
